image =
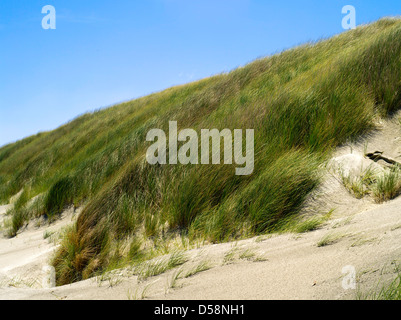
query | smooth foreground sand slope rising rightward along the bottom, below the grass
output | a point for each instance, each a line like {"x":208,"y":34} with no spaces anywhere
{"x":296,"y":268}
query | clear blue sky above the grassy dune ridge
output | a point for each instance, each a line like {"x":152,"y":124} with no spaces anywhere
{"x":104,"y":52}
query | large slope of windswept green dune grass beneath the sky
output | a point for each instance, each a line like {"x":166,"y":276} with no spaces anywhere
{"x":301,"y":103}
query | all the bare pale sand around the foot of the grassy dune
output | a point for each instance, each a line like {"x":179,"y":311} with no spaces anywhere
{"x":364,"y":235}
